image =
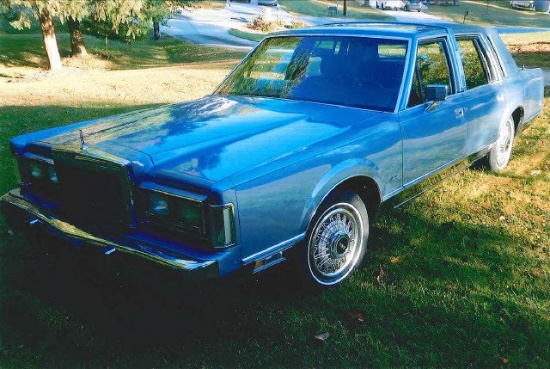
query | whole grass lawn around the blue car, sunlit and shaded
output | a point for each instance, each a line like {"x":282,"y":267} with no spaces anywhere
{"x":466,"y":266}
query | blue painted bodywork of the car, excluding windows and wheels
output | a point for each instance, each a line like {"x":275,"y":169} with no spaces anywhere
{"x":270,"y":162}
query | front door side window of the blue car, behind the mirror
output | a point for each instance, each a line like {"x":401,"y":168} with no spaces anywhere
{"x":431,"y":67}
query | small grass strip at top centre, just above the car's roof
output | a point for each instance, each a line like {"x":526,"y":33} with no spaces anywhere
{"x":317,"y":8}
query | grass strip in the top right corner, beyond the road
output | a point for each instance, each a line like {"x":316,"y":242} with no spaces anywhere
{"x":497,"y":13}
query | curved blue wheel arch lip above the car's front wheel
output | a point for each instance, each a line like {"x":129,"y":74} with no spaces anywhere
{"x":338,"y":174}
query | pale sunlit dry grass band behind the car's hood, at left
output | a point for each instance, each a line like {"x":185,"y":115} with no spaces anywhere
{"x":76,"y":87}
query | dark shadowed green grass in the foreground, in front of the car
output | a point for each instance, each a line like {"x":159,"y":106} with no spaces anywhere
{"x":444,"y":301}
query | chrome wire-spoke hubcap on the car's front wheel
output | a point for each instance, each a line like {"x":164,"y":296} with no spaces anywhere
{"x":335,"y":244}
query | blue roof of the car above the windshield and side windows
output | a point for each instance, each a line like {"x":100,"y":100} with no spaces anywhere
{"x":383,"y":29}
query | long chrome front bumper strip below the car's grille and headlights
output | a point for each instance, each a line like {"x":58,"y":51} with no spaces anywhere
{"x":143,"y":251}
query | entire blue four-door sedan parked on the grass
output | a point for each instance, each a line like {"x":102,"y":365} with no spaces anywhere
{"x":290,"y":158}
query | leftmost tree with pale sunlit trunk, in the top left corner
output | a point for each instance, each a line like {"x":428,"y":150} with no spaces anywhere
{"x":44,"y":11}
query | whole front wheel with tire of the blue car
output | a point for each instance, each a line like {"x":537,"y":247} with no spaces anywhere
{"x":337,"y":241}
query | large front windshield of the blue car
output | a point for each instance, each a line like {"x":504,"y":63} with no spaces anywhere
{"x":352,"y":71}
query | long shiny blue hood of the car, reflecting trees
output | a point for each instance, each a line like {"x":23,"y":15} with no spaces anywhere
{"x":217,"y":136}
